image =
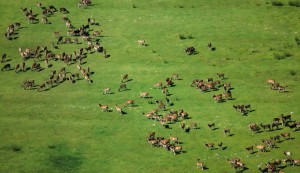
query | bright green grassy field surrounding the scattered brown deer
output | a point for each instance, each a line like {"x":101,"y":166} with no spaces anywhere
{"x":64,"y":130}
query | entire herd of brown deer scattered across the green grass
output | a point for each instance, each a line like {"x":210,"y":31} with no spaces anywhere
{"x":171,"y":143}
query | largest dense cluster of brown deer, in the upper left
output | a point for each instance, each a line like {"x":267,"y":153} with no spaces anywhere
{"x":44,"y":53}
